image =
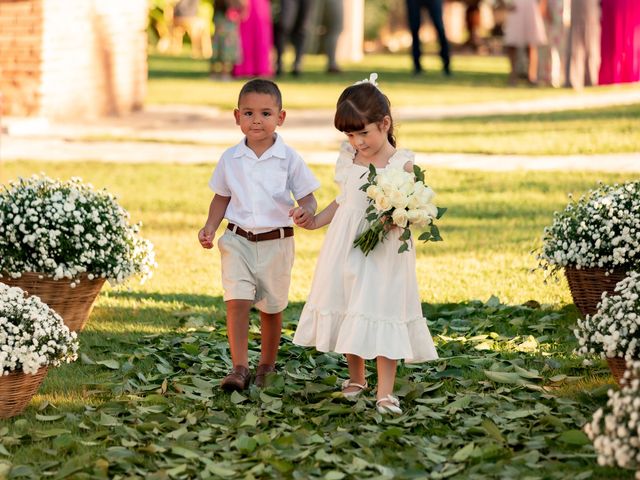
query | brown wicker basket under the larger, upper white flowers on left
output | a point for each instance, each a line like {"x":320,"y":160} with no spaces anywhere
{"x":72,"y":304}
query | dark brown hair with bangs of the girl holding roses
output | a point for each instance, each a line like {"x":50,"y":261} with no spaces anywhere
{"x":360,"y":105}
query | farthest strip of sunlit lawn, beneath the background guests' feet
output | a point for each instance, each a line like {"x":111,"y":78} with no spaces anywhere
{"x":476,"y":79}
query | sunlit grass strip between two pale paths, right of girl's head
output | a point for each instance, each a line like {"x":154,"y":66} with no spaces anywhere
{"x":574,"y":132}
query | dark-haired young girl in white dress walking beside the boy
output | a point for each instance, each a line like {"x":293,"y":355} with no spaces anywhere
{"x":364,"y":306}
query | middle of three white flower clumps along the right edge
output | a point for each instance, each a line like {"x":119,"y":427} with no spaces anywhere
{"x":614,"y":330}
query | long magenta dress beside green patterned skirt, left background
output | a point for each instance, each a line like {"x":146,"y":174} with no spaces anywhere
{"x":256,"y":39}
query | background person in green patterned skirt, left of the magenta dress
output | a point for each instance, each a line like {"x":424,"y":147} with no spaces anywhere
{"x":226,"y":39}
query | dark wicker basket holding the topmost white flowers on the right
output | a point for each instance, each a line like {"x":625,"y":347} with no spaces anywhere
{"x":587,"y":285}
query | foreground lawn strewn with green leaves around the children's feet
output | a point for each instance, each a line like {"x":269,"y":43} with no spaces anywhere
{"x":506,"y":400}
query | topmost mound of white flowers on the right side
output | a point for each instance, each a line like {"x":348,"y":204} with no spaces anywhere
{"x":601,"y":229}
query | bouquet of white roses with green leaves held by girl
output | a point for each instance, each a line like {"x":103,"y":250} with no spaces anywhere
{"x":398,"y":198}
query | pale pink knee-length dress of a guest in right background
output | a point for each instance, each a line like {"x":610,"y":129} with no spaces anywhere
{"x":523,"y":25}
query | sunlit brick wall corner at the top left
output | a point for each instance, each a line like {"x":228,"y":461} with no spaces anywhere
{"x":86,"y":58}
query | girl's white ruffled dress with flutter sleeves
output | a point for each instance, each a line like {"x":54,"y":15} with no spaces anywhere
{"x":368,"y":306}
